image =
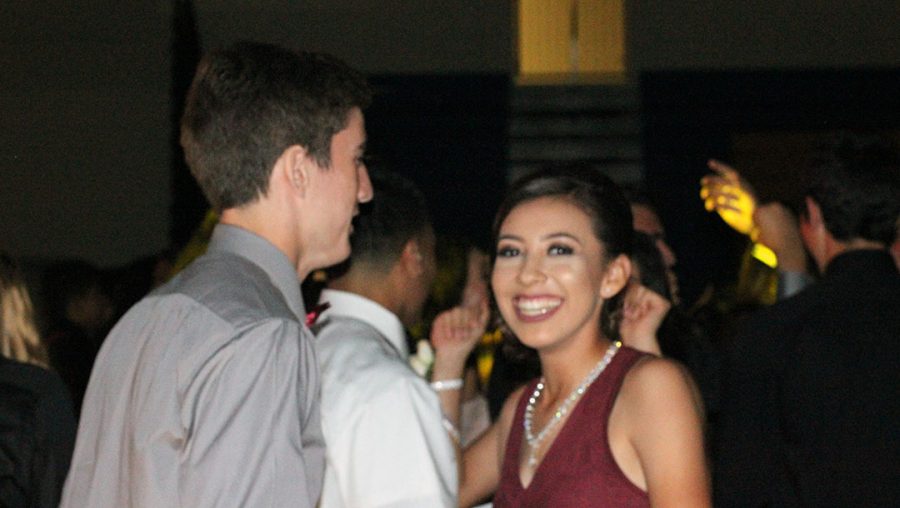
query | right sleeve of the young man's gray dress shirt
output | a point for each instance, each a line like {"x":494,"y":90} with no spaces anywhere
{"x":245,"y":411}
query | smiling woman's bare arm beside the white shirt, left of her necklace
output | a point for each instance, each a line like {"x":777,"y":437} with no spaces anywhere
{"x":483,"y":460}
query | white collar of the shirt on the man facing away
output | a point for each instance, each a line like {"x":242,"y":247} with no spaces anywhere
{"x":358,"y":307}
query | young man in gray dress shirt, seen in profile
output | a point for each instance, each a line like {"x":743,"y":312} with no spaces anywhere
{"x":206,"y":392}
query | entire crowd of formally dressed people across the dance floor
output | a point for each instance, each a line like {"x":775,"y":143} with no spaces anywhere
{"x":273,"y":370}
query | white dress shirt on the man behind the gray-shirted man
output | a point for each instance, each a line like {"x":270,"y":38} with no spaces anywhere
{"x":386,"y":446}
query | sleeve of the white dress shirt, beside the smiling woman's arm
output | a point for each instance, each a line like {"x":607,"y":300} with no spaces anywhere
{"x":394,"y":451}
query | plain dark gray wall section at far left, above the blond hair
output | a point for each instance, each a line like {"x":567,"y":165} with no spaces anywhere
{"x":83,"y":129}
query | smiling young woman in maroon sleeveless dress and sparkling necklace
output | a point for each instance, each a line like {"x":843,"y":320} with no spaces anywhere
{"x":605,"y":425}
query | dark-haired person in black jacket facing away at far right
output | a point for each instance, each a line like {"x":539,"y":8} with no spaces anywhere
{"x":810,"y":399}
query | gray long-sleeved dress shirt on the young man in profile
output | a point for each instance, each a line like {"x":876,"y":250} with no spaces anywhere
{"x":206,"y":392}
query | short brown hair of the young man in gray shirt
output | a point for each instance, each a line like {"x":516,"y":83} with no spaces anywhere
{"x":250,"y":102}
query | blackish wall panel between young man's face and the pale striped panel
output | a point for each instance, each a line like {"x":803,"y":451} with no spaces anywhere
{"x":448,"y":134}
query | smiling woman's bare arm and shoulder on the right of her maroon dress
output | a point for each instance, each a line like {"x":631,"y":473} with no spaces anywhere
{"x":660,"y":415}
